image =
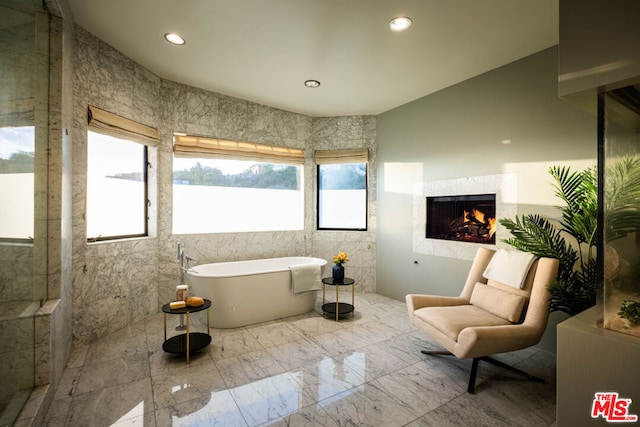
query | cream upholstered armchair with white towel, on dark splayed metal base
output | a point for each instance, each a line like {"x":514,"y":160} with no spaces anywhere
{"x":489,"y":316}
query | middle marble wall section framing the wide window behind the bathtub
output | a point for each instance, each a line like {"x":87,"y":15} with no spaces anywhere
{"x":199,"y":112}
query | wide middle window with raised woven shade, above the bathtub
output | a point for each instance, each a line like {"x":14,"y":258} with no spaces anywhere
{"x":222,"y":186}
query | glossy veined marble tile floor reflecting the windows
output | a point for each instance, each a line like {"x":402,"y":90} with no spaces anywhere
{"x":366,"y":370}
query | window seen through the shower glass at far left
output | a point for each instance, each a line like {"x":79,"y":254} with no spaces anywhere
{"x":17,"y":150}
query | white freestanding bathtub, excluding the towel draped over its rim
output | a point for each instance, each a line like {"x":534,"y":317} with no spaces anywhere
{"x":247,"y":292}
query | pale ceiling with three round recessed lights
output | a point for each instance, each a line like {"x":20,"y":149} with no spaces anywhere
{"x":263,"y":50}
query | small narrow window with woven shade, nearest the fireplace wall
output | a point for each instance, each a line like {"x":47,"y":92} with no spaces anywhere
{"x":342,"y":189}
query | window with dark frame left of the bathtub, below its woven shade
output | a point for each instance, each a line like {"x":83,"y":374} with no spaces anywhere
{"x":116,"y":188}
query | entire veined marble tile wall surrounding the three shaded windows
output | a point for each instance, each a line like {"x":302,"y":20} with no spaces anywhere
{"x":116,"y":282}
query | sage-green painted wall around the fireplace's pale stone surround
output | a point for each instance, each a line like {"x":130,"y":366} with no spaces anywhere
{"x":457,"y":133}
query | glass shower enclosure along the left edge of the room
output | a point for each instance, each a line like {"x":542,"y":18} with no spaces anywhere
{"x":24,"y":92}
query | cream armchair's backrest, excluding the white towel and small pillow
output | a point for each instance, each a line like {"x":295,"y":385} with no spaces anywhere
{"x":541,"y":273}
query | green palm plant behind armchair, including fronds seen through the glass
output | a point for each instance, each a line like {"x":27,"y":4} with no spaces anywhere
{"x":572,"y":240}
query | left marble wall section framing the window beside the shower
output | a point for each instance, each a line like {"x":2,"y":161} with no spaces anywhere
{"x":114,"y":283}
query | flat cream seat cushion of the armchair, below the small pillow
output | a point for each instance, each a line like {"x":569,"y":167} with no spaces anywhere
{"x":452,"y":320}
